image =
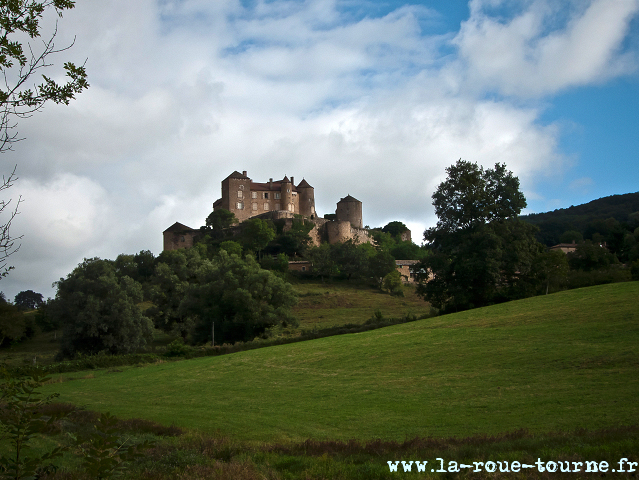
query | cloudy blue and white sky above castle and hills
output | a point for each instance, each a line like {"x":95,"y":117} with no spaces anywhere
{"x":371,"y":98}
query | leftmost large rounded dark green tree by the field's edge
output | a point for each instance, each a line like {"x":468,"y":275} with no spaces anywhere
{"x":100,"y":311}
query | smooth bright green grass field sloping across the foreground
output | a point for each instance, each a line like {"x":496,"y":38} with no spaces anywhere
{"x":555,"y":362}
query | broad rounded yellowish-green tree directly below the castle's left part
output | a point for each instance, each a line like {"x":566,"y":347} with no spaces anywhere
{"x":238,"y":298}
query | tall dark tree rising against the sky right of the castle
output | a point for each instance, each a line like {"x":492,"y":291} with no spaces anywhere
{"x":480,"y":252}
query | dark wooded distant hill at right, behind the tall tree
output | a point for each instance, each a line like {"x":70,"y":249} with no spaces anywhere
{"x":589,"y":218}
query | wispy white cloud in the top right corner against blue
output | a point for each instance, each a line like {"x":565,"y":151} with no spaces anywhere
{"x":527,"y":55}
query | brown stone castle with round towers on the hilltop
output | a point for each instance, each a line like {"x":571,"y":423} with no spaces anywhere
{"x":276,"y":200}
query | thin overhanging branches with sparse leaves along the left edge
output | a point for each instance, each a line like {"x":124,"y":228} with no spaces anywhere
{"x":19,"y":61}
